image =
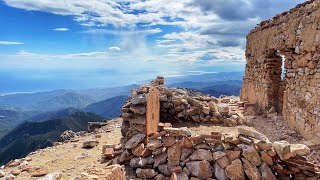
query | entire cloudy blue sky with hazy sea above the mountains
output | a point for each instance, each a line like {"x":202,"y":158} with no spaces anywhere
{"x":50,"y":44}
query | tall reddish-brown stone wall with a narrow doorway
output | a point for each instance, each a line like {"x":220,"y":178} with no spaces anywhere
{"x":296,"y":36}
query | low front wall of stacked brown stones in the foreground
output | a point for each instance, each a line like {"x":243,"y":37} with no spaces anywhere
{"x":174,"y":153}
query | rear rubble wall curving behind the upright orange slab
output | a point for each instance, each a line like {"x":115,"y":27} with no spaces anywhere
{"x":177,"y":105}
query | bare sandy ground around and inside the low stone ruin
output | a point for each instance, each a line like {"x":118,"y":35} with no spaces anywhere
{"x":69,"y":160}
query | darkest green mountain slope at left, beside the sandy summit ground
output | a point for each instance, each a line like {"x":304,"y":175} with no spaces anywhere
{"x":30,"y":136}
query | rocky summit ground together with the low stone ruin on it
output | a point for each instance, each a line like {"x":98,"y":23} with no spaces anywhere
{"x":197,"y":144}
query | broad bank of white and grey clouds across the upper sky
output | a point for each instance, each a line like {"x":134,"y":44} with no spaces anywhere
{"x":207,"y":31}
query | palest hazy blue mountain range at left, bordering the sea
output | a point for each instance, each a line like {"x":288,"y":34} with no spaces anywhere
{"x":61,"y":99}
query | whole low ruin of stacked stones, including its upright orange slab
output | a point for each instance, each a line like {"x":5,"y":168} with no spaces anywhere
{"x":156,"y":150}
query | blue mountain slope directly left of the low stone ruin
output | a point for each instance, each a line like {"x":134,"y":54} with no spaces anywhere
{"x":109,"y":108}
